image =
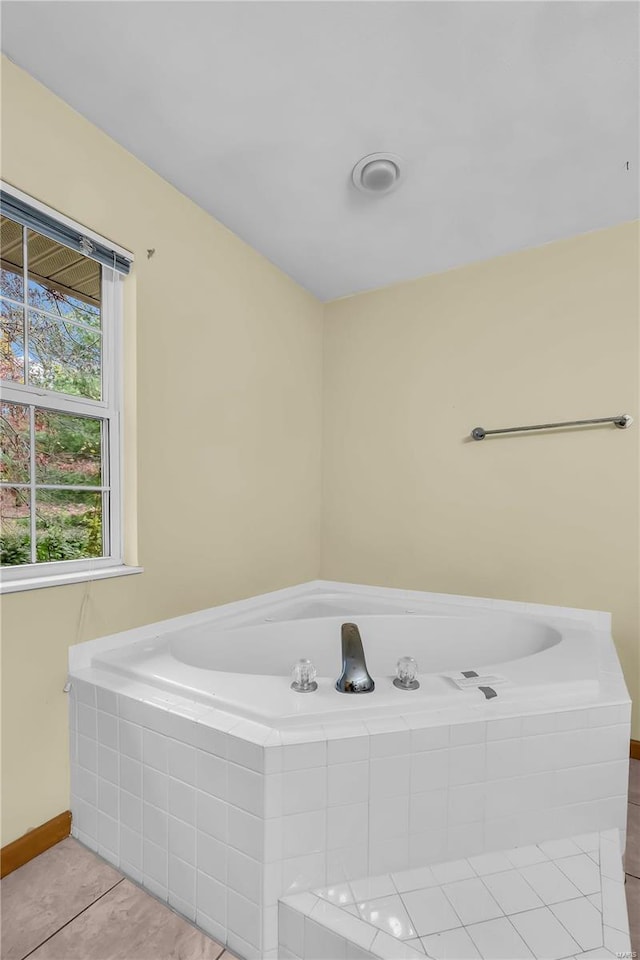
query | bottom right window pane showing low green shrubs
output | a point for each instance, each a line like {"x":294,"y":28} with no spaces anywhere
{"x":68,"y":525}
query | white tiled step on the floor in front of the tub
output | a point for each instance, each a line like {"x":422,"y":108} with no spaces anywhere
{"x":562,"y":898}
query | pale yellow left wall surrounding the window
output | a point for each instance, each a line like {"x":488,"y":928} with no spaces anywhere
{"x":229,"y":363}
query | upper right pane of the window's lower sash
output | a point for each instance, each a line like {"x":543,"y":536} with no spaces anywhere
{"x":68,"y":449}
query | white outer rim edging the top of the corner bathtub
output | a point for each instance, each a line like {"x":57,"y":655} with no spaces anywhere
{"x":153,"y":703}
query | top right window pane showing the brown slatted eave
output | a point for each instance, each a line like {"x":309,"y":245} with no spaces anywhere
{"x":63,"y":281}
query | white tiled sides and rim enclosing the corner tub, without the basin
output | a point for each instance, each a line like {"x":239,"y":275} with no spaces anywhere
{"x":221,"y":816}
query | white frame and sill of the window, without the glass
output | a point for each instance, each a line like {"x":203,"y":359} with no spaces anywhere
{"x":109,"y":409}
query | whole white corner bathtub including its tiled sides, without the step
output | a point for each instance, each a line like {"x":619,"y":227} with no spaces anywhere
{"x":201,"y":774}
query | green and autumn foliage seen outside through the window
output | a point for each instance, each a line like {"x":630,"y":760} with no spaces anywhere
{"x":65,"y":353}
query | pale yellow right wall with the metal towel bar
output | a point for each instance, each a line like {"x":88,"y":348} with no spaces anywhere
{"x":547,"y":334}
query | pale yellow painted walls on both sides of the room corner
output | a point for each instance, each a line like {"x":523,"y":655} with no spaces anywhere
{"x":228,"y":463}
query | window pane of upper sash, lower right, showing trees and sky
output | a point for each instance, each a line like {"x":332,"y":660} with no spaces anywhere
{"x":64,"y":357}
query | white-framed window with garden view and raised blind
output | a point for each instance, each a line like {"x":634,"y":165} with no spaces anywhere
{"x":60,"y":314}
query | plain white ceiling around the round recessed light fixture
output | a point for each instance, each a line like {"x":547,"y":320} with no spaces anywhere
{"x":516,"y":119}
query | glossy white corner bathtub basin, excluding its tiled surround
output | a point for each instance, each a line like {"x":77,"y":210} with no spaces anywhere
{"x":241,"y":660}
